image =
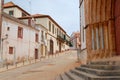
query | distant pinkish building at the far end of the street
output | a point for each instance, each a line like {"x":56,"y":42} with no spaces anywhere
{"x":75,"y":40}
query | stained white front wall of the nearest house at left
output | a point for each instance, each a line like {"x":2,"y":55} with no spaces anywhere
{"x":23,"y":48}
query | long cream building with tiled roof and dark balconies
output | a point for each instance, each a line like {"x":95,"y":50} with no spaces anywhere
{"x":55,"y":35}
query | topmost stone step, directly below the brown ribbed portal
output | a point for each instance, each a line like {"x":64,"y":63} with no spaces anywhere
{"x":105,"y":63}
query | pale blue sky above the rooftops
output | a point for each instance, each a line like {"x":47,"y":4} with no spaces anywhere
{"x":64,"y":12}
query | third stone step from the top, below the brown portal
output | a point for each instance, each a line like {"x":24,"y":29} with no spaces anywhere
{"x":100,"y":72}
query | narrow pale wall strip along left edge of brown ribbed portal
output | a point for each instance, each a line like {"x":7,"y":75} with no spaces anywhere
{"x":83,"y":54}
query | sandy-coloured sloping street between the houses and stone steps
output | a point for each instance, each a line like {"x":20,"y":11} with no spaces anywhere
{"x":46,"y":69}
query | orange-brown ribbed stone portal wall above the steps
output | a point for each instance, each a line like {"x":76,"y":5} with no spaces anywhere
{"x":100,"y":30}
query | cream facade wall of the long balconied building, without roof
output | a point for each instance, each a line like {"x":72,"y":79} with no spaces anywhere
{"x":53,"y":35}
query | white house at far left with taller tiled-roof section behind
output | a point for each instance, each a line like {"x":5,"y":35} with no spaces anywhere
{"x":20,"y":41}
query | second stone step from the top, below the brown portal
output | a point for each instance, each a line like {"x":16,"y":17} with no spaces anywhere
{"x":102,"y":67}
